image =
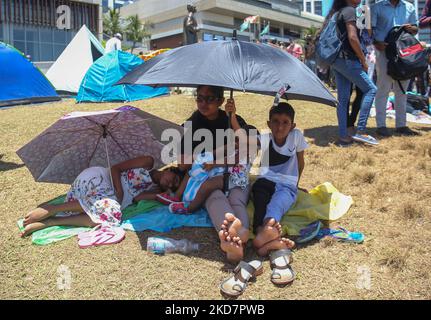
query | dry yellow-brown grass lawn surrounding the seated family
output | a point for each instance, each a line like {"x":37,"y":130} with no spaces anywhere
{"x":384,"y":181}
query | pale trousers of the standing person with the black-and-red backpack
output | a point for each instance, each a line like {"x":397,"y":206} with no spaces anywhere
{"x":385,"y":84}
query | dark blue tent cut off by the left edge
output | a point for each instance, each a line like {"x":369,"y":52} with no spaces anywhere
{"x":20,"y":81}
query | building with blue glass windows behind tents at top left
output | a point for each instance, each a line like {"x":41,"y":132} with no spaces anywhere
{"x":36,"y":28}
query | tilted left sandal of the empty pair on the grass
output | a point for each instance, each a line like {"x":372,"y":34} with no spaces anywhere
{"x":235,"y":285}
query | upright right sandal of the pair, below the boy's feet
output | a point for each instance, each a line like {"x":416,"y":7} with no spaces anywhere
{"x":282,"y":272}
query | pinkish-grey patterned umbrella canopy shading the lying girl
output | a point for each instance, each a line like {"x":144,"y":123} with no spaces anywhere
{"x":81,"y":140}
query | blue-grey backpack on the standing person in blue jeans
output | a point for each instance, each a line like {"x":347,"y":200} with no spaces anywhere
{"x":328,"y":43}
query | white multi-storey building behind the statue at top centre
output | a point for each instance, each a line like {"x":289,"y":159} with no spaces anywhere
{"x":218,"y":18}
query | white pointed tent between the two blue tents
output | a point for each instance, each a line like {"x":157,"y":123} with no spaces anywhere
{"x":67,"y":72}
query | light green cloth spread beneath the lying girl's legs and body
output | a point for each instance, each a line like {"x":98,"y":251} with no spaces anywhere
{"x":57,"y":233}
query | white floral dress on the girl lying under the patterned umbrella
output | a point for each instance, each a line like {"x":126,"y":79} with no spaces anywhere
{"x":95,"y":193}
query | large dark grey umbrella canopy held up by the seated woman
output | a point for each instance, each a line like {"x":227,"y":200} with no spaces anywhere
{"x":233,"y":64}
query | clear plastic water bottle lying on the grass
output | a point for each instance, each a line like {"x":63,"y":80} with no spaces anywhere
{"x":162,"y":245}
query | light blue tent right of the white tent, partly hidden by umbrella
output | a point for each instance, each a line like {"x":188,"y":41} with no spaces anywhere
{"x":98,"y":83}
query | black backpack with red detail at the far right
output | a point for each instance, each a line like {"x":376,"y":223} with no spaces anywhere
{"x":406,"y":57}
